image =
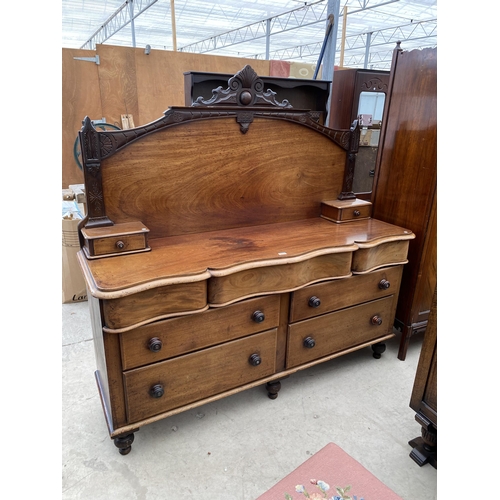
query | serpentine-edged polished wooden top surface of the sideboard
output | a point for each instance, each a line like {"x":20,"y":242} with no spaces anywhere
{"x":196,"y":257}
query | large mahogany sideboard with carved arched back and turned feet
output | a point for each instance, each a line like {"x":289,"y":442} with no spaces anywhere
{"x":224,"y":249}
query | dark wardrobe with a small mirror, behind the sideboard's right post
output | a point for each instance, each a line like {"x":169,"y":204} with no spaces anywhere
{"x":355,"y":92}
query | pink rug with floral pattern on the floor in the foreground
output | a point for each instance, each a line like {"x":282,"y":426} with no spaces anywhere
{"x":321,"y":475}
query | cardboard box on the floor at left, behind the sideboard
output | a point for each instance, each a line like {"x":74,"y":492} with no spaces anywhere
{"x":73,"y":283}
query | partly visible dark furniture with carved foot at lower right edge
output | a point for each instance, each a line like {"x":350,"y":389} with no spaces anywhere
{"x":424,"y":395}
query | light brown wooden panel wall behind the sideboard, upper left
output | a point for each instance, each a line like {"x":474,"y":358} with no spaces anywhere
{"x":127,"y":81}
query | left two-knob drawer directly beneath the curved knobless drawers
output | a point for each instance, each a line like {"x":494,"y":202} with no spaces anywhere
{"x":173,"y":337}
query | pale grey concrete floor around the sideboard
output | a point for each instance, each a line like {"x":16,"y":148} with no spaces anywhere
{"x":239,"y":447}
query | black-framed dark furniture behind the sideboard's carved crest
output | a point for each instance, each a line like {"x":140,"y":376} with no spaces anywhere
{"x":304,"y":93}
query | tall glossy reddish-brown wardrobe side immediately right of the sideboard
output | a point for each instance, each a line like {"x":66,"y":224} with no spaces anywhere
{"x":406,"y":173}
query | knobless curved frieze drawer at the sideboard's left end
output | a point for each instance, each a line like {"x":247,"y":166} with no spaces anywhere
{"x":141,"y":307}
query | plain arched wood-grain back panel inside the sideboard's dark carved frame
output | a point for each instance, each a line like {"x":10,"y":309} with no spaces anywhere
{"x":207,"y":175}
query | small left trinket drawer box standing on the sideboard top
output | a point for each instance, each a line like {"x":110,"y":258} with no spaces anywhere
{"x":129,"y":237}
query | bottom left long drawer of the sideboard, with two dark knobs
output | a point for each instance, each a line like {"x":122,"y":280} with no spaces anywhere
{"x":177,"y":382}
